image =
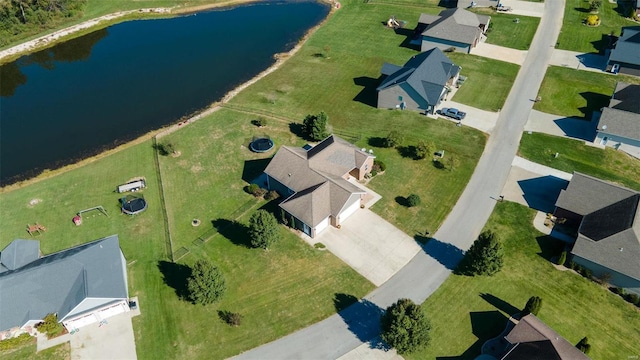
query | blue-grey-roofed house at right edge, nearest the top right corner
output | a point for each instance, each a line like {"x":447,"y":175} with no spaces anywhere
{"x":626,"y":52}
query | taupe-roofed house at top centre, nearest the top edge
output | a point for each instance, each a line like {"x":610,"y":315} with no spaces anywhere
{"x":456,"y":29}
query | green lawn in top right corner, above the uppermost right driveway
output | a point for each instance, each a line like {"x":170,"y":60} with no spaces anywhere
{"x":576,"y":36}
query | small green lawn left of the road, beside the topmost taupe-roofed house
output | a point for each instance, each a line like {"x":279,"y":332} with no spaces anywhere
{"x":505,"y":31}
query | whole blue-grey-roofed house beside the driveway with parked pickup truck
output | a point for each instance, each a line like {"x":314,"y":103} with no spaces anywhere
{"x":421,"y":84}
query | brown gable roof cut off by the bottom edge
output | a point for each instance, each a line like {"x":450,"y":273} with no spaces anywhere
{"x":533,"y":339}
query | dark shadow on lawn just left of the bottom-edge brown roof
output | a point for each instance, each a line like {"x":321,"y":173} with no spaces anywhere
{"x":485,"y":325}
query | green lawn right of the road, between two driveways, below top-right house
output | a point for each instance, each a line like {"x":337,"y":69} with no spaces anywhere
{"x":577,"y":93}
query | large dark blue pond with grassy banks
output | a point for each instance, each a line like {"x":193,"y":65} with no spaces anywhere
{"x":95,"y":92}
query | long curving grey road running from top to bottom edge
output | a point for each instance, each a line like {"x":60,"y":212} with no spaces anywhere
{"x":358,"y":324}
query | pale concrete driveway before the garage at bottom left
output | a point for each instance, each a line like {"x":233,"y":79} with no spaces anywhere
{"x":115,"y":340}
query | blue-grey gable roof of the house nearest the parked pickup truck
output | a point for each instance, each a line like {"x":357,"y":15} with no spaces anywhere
{"x":426,"y":73}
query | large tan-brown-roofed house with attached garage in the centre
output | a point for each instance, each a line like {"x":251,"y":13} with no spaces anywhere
{"x":314,"y":183}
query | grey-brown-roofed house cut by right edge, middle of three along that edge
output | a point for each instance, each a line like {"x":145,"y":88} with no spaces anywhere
{"x":619,"y":124}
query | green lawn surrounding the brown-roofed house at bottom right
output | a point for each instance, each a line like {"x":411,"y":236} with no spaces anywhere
{"x":467,"y":311}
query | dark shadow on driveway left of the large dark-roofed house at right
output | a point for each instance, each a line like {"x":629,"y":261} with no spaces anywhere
{"x":542,"y":192}
